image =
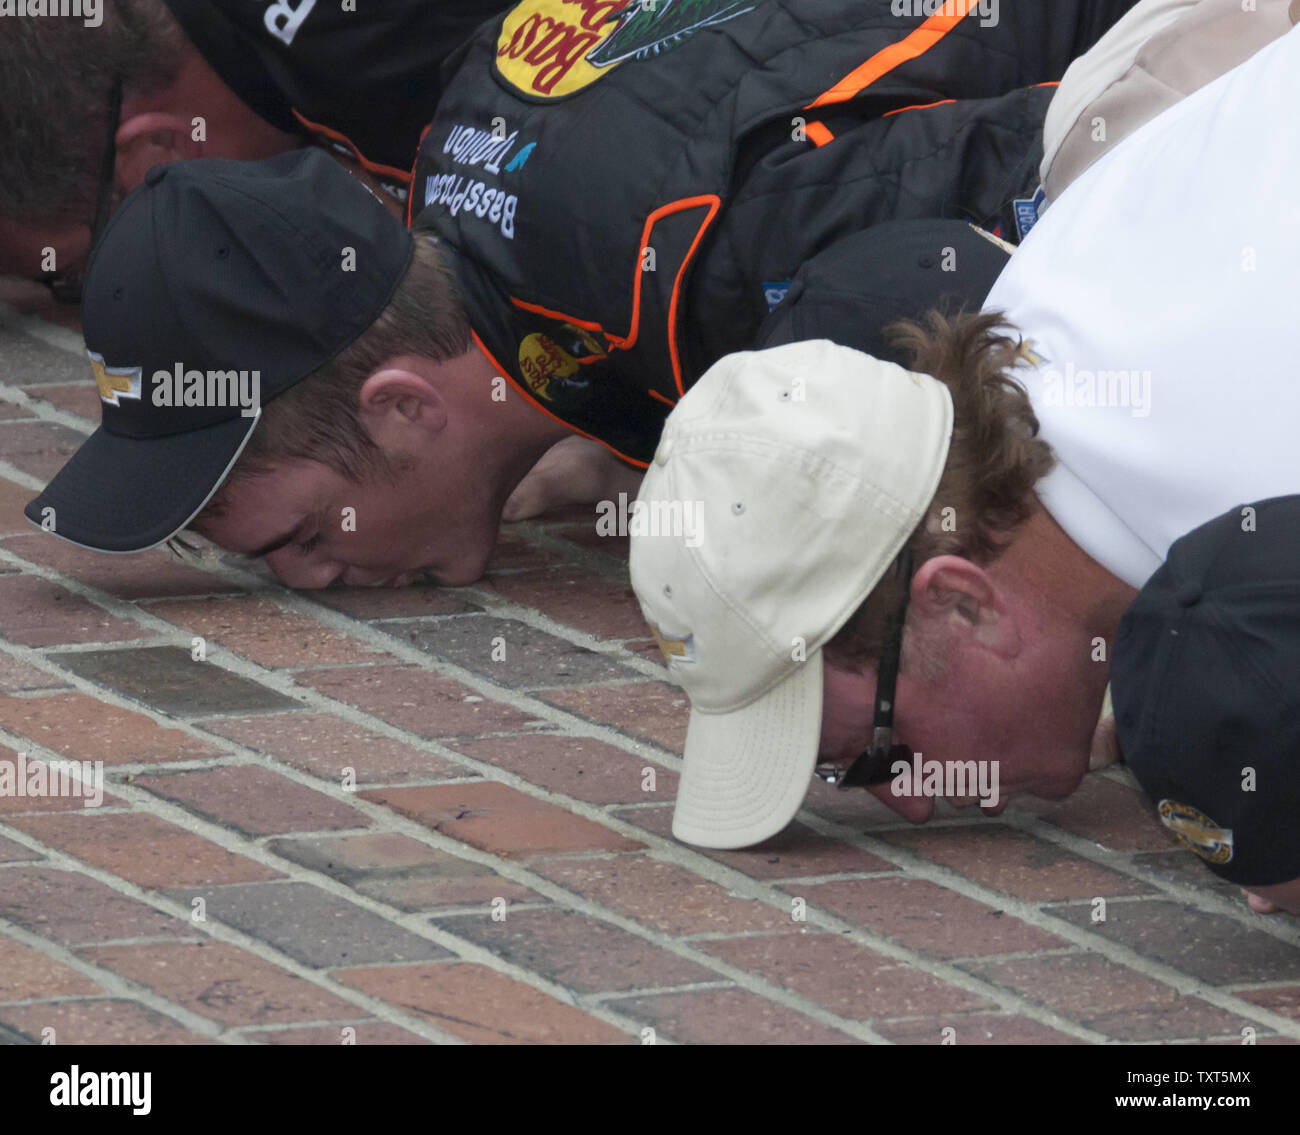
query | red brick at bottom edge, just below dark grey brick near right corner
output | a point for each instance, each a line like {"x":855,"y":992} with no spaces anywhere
{"x":1110,"y":998}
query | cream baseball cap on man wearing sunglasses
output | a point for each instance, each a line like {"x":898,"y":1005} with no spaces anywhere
{"x":785,"y":486}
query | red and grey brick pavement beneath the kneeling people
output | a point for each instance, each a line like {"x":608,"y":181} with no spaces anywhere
{"x":349,"y":821}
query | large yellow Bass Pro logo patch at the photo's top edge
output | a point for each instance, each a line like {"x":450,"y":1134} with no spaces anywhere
{"x":553,"y":49}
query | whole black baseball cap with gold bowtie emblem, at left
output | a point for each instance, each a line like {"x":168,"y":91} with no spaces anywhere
{"x":216,"y":287}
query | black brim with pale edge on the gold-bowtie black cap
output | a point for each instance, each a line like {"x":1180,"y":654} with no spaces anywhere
{"x":131,"y":495}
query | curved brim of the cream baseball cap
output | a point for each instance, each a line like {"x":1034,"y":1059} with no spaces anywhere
{"x":747,"y":773}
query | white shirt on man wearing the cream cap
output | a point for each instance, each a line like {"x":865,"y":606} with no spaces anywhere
{"x":1163,"y":296}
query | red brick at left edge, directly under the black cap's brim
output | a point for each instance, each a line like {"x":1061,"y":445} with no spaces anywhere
{"x":146,"y":575}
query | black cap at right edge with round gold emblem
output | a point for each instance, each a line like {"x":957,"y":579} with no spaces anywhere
{"x":1206,"y":683}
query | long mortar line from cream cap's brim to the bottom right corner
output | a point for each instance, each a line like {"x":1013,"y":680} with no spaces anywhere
{"x":1182,"y":984}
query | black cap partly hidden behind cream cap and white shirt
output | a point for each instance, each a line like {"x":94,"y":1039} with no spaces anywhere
{"x":865,"y":283}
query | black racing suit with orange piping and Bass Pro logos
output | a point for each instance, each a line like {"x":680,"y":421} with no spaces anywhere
{"x":626,"y":192}
